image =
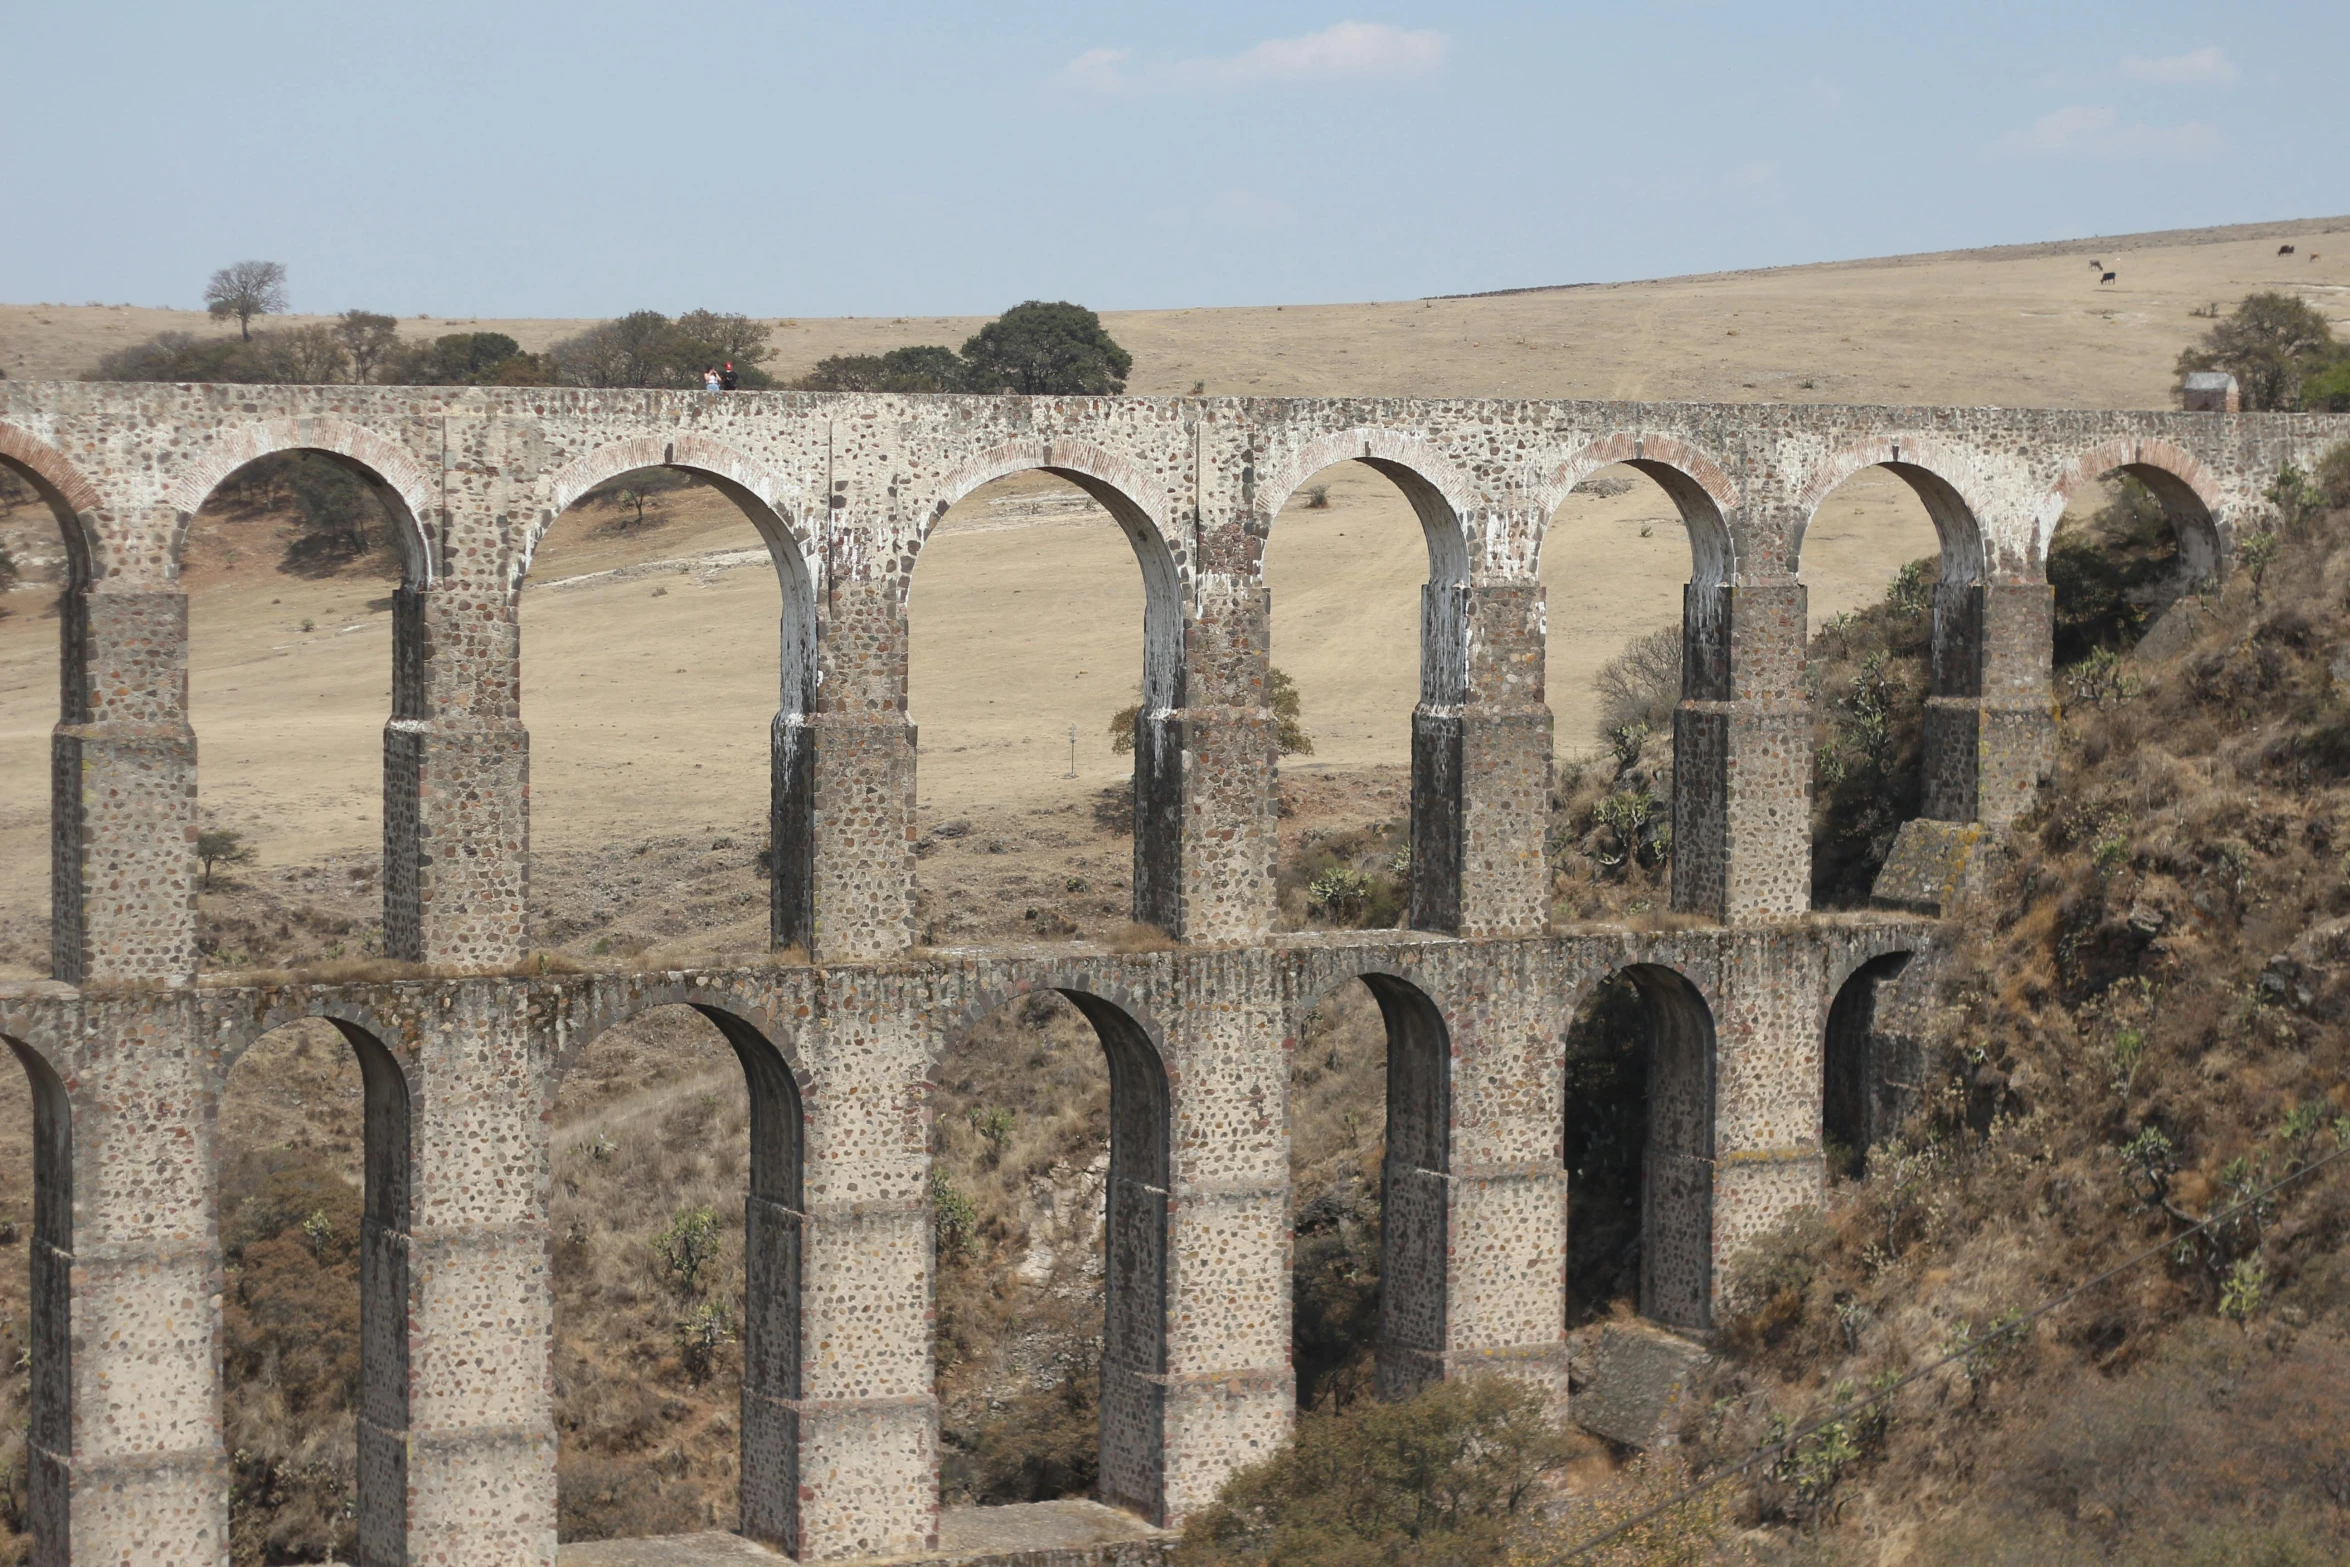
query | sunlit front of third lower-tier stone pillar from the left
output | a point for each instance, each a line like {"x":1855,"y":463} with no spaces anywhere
{"x":861,"y":1430}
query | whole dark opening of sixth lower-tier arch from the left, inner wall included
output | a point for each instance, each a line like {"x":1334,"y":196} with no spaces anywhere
{"x":1639,"y":1145}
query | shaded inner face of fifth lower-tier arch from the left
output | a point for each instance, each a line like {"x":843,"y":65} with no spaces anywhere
{"x":1416,"y":1178}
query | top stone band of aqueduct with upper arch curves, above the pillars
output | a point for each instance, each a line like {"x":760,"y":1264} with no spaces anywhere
{"x":850,"y":485}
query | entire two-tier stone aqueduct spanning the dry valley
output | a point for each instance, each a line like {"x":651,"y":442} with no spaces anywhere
{"x":128,"y":1049}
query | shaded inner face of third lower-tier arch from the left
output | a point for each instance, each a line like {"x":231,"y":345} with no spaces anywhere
{"x":774,"y":1253}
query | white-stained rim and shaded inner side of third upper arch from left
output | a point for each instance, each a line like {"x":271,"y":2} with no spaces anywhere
{"x":779,"y":516}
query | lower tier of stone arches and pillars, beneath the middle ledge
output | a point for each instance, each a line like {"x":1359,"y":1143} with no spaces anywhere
{"x":1750,"y":1051}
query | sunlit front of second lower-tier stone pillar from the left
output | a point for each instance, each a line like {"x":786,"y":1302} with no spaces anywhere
{"x":478,"y":1448}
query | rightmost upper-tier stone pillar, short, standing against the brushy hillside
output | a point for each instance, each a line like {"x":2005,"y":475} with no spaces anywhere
{"x":1992,"y":718}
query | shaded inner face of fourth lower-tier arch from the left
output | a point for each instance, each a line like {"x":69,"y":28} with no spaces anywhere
{"x":1136,"y":1272}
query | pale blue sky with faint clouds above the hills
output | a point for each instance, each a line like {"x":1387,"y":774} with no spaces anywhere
{"x":584,"y":159}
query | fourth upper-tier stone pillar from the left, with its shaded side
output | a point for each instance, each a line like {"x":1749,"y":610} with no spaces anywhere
{"x":1207,"y":826}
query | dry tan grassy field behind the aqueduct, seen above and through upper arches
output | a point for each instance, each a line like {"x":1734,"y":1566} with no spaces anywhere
{"x":652,"y":654}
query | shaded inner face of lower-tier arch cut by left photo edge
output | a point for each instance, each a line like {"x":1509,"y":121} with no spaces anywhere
{"x":51,"y":1307}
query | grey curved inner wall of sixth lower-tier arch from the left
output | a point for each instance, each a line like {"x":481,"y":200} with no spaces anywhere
{"x":1677,"y":1157}
